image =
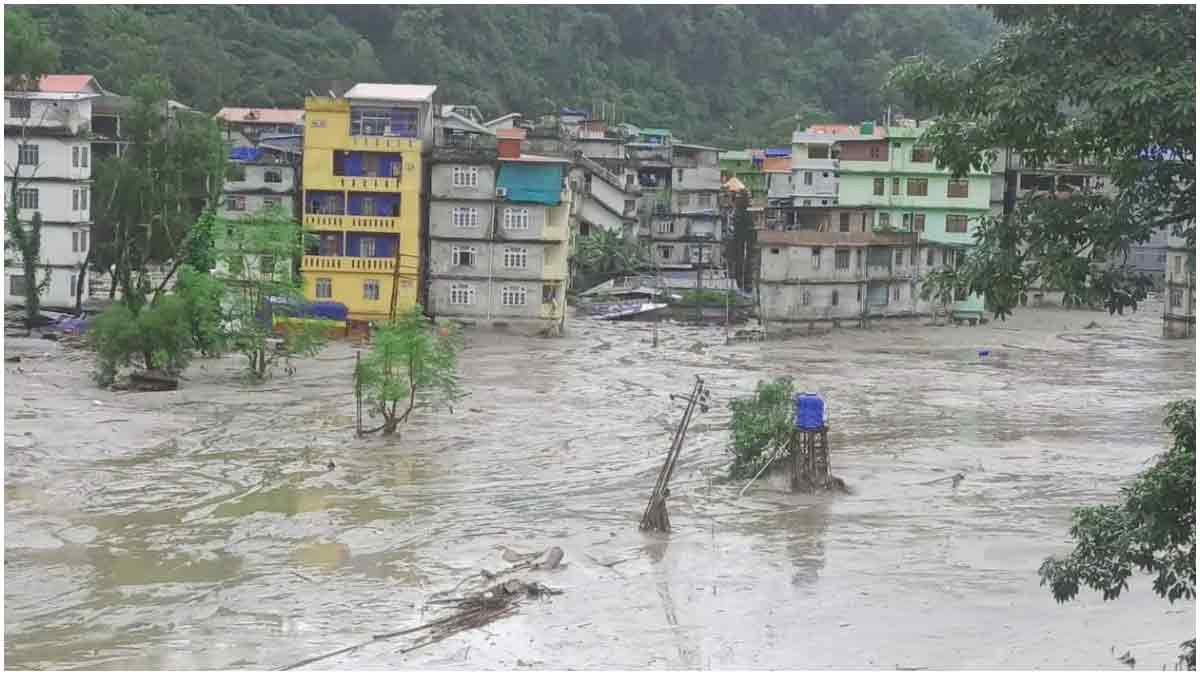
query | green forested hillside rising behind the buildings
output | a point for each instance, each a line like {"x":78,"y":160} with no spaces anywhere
{"x":728,"y":75}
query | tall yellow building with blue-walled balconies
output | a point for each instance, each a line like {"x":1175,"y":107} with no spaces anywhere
{"x":363,"y":186}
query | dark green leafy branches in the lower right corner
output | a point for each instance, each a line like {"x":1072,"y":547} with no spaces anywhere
{"x":1154,"y":530}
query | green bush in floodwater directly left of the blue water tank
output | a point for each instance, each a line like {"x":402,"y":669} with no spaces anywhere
{"x":761,"y":426}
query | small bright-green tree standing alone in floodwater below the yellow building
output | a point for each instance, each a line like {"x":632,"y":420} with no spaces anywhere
{"x":412,"y":365}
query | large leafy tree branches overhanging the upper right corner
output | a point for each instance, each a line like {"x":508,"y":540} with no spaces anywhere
{"x":1049,"y":94}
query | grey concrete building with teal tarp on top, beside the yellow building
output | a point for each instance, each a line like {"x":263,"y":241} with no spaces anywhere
{"x":500,"y":235}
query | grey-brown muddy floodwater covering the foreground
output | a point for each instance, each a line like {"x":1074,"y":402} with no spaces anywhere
{"x":208,"y":529}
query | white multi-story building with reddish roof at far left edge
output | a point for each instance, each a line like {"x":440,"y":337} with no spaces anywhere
{"x":49,"y":157}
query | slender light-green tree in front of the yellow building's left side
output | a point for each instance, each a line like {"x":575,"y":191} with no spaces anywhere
{"x":255,"y":256}
